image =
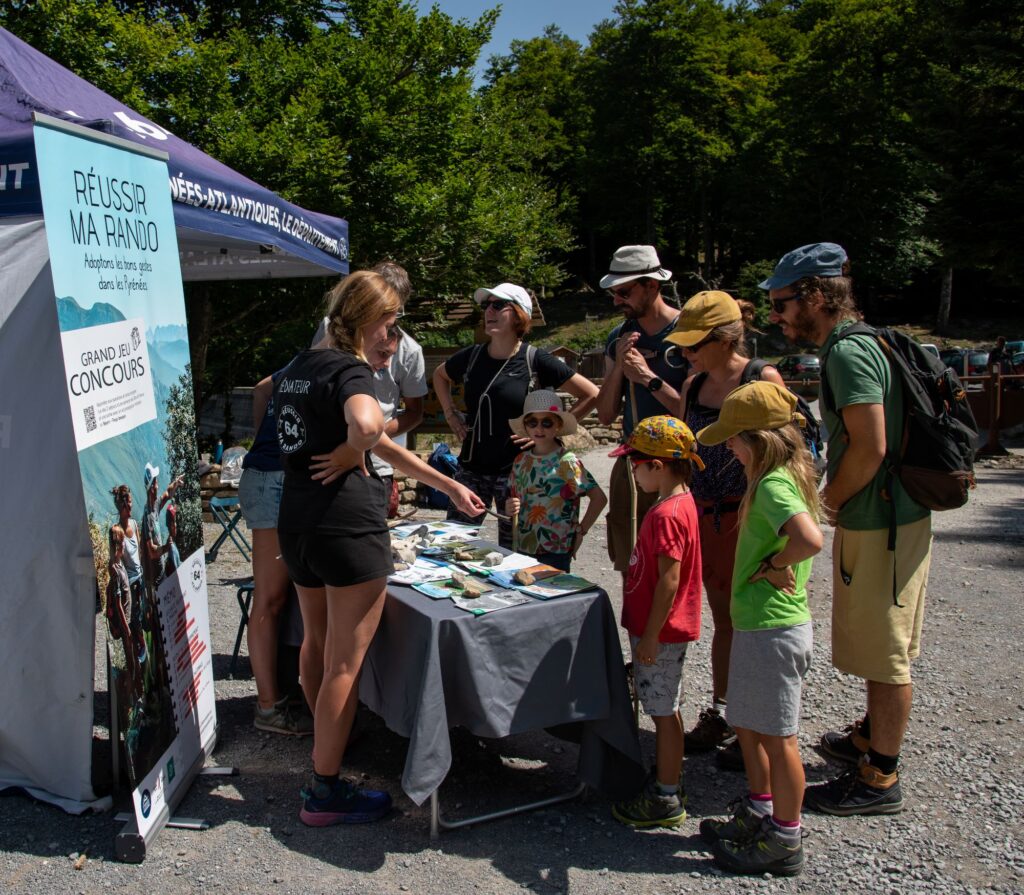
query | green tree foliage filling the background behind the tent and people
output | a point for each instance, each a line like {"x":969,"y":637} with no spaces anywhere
{"x":723,"y":133}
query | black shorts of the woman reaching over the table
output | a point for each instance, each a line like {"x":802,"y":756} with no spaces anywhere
{"x":336,"y":561}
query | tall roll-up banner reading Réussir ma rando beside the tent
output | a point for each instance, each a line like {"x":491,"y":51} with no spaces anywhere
{"x":117,"y":278}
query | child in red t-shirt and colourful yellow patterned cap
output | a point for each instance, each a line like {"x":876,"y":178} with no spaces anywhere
{"x":662,"y":606}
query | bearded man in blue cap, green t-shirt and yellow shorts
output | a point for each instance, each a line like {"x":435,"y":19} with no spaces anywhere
{"x":878,"y":593}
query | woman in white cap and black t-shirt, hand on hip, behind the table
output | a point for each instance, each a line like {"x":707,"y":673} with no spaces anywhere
{"x":497,"y":376}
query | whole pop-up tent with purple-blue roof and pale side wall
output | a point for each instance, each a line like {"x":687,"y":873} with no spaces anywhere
{"x":228,"y":228}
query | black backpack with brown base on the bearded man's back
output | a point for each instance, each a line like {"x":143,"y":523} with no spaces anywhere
{"x":935,"y":459}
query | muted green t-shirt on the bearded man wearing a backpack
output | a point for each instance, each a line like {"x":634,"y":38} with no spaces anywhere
{"x":860,"y":374}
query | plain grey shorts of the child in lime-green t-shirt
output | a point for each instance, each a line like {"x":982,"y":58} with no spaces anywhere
{"x":766,"y":674}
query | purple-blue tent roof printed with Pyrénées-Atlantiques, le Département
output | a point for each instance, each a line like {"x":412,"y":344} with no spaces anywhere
{"x":229,"y":227}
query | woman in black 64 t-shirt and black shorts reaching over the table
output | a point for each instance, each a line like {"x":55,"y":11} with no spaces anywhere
{"x":333,"y":530}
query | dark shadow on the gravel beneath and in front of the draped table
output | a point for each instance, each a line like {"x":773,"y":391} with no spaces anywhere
{"x":537,"y":849}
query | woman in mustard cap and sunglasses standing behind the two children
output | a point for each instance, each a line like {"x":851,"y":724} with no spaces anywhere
{"x":712,"y":331}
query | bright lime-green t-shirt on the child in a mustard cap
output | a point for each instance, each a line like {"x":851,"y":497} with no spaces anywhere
{"x":760,"y":606}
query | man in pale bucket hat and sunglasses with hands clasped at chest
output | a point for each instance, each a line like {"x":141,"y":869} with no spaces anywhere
{"x":644,"y":375}
